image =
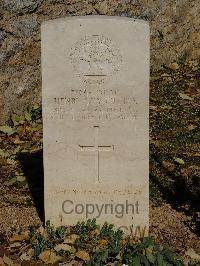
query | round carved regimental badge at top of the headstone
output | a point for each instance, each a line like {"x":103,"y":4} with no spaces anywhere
{"x":95,"y":58}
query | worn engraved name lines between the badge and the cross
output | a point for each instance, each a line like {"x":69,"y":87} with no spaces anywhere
{"x":89,"y":104}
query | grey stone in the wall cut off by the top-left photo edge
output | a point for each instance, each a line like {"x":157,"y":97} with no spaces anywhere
{"x":21,"y":6}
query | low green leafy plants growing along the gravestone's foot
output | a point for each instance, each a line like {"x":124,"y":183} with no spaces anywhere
{"x":102,"y":244}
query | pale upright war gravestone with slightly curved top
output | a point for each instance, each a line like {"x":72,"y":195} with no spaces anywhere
{"x":95,"y":78}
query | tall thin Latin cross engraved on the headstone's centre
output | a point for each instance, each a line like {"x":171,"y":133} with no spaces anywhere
{"x":96,"y":148}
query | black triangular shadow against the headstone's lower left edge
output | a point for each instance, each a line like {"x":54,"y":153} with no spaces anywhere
{"x":32,"y":165}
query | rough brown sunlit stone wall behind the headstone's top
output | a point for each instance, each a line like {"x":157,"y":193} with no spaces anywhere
{"x":175,"y":27}
